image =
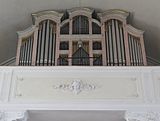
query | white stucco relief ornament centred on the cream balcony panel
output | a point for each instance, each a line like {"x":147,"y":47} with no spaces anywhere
{"x":76,"y":87}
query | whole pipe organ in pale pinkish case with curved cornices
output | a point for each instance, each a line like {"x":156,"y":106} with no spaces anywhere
{"x":83,"y":37}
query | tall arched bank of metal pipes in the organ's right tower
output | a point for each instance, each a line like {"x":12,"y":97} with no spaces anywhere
{"x":115,"y":48}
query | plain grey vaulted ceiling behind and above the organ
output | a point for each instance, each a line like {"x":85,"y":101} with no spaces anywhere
{"x":15,"y":15}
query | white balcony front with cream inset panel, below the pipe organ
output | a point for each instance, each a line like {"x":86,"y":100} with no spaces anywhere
{"x":123,"y":89}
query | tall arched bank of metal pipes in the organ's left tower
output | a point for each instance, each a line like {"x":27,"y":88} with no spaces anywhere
{"x":46,"y":43}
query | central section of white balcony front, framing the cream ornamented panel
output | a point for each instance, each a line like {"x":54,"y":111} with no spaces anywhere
{"x":76,"y":84}
